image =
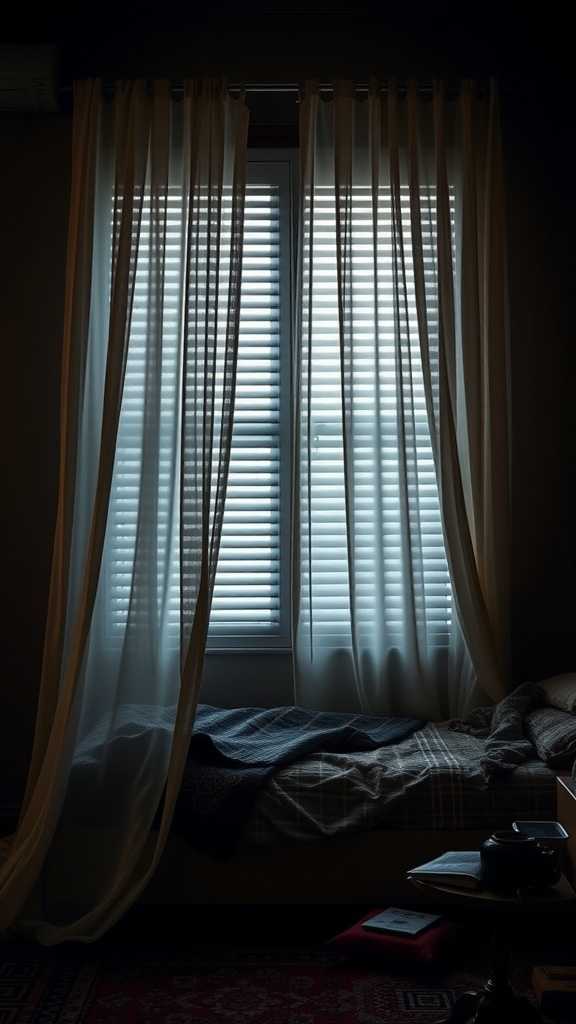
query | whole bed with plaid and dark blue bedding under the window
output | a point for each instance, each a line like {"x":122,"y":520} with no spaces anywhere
{"x":342,"y":823}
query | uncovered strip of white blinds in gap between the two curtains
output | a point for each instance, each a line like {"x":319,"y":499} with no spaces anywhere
{"x":252,"y":585}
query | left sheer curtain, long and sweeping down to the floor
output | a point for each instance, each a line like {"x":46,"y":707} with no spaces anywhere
{"x":155,"y":254}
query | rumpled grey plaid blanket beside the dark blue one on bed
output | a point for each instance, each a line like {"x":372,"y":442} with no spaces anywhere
{"x":432,"y":781}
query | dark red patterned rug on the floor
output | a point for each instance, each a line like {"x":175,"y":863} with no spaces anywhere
{"x":218,"y":987}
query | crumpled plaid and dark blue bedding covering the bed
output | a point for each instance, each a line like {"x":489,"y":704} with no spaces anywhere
{"x":482,"y":773}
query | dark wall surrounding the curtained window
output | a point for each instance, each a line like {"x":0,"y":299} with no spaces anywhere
{"x":35,"y":161}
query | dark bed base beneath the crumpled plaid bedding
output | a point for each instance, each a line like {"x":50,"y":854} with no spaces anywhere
{"x":362,"y":869}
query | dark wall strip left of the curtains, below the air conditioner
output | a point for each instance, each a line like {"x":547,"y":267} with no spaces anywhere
{"x":34,"y":198}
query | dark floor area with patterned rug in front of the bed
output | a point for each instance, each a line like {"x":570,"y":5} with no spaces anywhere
{"x":246,"y":965}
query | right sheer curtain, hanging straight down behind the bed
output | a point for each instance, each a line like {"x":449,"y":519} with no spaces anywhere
{"x":401,"y":498}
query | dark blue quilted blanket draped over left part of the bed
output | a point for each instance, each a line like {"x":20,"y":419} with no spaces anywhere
{"x":233,"y":753}
